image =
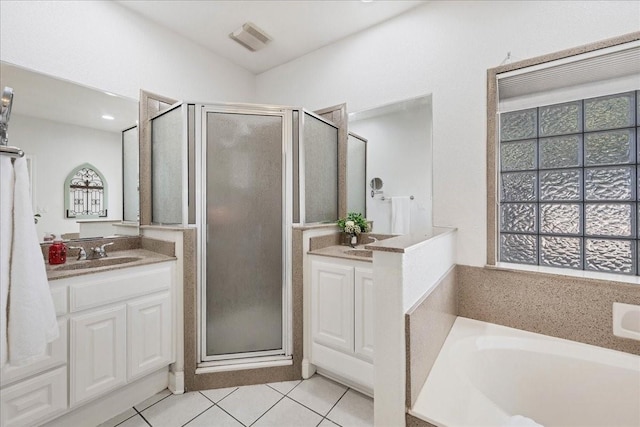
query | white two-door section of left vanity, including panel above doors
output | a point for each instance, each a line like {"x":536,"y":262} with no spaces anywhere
{"x":120,"y":328}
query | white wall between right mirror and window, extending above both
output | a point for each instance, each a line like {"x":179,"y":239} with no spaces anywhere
{"x":445,"y":48}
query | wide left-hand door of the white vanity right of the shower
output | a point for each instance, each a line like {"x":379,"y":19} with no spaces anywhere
{"x":332,"y":305}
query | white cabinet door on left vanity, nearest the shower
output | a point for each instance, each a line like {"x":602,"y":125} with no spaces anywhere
{"x":149,"y":334}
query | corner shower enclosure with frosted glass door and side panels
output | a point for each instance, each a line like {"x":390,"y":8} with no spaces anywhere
{"x":243,"y":175}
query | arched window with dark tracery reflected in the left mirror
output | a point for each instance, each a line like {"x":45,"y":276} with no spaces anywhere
{"x":85,"y":193}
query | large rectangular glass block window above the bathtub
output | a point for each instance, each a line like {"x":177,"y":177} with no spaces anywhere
{"x":570,"y":185}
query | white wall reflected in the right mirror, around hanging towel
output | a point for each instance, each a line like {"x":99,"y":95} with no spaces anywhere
{"x":399,"y":152}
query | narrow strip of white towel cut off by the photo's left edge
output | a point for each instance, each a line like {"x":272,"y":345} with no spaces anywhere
{"x":6,"y":231}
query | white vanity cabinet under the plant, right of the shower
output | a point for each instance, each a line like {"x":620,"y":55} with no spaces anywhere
{"x":342,"y":319}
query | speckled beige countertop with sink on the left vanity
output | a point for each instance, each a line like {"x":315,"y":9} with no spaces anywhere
{"x":145,"y":256}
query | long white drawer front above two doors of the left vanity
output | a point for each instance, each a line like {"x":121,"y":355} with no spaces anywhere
{"x":120,"y":285}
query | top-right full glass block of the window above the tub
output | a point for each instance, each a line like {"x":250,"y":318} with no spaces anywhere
{"x":609,"y":112}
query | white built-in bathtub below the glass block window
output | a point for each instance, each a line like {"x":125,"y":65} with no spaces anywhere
{"x":490,"y":375}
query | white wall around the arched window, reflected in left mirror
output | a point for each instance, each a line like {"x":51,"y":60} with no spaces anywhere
{"x":57,"y":149}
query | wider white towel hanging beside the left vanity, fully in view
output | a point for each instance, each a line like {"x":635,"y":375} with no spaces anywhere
{"x":32,"y":318}
